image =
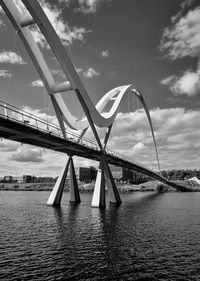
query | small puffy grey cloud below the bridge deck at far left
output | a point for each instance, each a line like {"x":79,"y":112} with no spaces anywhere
{"x":27,"y":153}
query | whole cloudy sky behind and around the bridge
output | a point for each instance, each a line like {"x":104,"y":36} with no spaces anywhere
{"x":152,"y":44}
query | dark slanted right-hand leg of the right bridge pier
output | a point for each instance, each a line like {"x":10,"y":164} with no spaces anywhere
{"x":112,"y":189}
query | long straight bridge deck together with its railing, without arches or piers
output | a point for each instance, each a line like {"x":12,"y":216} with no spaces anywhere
{"x":21,"y":126}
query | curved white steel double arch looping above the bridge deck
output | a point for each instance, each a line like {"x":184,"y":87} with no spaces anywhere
{"x":73,"y":82}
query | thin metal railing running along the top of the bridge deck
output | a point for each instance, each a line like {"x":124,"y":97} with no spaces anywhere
{"x":28,"y":119}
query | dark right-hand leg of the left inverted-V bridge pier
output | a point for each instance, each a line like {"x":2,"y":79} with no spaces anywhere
{"x":74,"y":192}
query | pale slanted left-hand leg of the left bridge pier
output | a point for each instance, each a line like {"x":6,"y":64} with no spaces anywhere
{"x":56,"y":194}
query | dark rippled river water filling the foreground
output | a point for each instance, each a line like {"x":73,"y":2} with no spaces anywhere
{"x":149,"y":237}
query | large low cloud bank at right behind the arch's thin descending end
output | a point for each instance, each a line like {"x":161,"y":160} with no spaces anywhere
{"x":177,"y":133}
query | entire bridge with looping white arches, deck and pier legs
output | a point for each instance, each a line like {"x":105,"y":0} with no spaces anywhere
{"x":17,"y":125}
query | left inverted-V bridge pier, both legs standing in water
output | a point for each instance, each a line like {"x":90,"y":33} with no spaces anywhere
{"x":57,"y":192}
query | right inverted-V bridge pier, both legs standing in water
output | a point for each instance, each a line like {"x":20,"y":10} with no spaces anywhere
{"x":104,"y":175}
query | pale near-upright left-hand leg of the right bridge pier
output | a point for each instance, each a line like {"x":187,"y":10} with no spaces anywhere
{"x":98,"y":199}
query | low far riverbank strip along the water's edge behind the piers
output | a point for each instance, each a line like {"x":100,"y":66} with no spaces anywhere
{"x":89,"y":187}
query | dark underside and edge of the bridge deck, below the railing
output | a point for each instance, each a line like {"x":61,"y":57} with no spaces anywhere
{"x":16,"y":130}
